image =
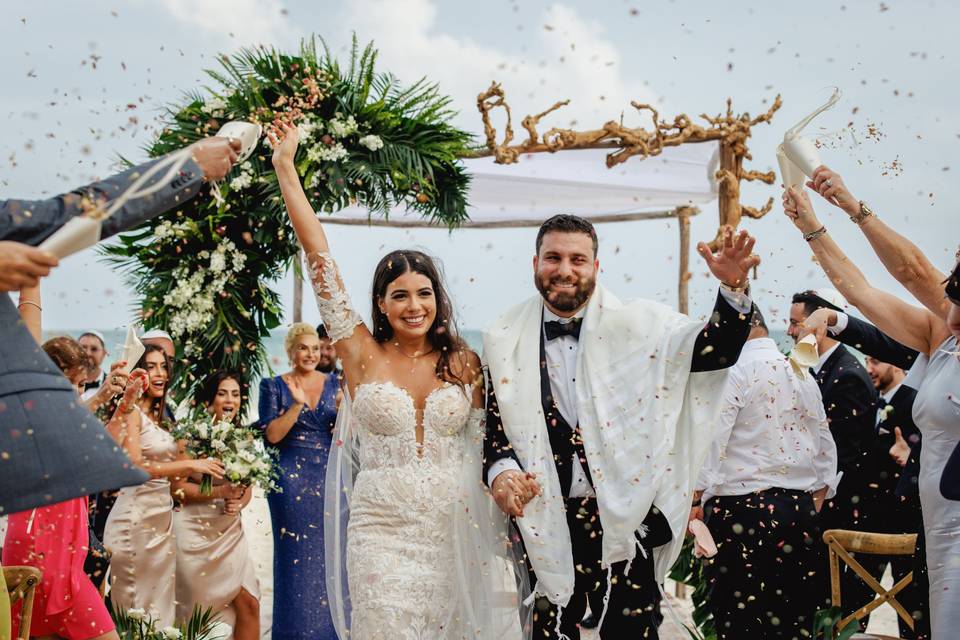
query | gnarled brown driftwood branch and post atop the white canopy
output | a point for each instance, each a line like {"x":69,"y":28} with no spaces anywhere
{"x":728,"y":129}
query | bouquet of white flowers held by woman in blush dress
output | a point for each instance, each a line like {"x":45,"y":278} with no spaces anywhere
{"x":245,"y":460}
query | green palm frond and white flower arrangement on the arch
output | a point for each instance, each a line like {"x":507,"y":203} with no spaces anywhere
{"x":204,"y":272}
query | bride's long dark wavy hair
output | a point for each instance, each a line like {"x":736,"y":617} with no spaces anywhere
{"x":442,"y":335}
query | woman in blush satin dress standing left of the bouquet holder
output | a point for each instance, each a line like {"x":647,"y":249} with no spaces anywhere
{"x":139,"y":530}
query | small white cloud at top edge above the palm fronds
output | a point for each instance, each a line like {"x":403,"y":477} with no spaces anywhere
{"x":247,"y":21}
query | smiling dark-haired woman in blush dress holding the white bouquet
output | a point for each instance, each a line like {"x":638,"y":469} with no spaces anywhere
{"x":214,"y":566}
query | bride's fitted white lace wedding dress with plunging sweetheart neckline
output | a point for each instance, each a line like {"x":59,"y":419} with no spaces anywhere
{"x":400,"y":536}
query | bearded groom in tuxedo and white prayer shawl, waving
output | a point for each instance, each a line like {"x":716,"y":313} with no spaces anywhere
{"x":599,"y":414}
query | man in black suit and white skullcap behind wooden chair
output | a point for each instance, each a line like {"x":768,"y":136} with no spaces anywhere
{"x":850,"y":402}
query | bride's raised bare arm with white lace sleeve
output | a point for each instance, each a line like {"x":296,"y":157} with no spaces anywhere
{"x":342,"y":322}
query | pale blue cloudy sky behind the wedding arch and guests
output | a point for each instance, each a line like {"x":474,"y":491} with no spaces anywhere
{"x":86,"y":83}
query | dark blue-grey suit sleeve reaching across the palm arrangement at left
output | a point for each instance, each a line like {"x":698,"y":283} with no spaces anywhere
{"x":33,"y":221}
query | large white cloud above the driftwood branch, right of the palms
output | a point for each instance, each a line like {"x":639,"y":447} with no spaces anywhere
{"x":564,"y":56}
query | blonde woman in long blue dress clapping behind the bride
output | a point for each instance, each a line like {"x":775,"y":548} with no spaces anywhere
{"x":298,"y":411}
